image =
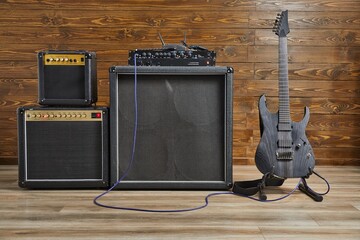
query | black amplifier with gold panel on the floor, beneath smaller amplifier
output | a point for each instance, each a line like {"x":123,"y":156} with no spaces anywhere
{"x":63,"y":147}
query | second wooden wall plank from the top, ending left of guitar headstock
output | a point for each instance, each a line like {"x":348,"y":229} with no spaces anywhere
{"x":164,"y":19}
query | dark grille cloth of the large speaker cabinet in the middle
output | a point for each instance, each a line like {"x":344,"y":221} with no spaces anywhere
{"x":180,"y":127}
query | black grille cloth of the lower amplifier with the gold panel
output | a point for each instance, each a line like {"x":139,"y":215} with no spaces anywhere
{"x":64,"y":150}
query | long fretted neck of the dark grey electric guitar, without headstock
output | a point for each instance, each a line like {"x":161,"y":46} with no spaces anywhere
{"x":284,"y":102}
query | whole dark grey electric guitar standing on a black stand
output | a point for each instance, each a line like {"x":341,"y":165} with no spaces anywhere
{"x":284,"y":150}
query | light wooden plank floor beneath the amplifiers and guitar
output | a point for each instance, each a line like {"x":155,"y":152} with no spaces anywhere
{"x":29,"y":214}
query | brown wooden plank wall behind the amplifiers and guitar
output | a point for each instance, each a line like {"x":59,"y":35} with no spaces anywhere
{"x":324,"y":58}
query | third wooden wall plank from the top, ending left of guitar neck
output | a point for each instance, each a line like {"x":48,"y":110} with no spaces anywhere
{"x":129,"y":35}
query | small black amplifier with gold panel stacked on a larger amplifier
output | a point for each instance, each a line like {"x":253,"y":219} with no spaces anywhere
{"x":67,"y":78}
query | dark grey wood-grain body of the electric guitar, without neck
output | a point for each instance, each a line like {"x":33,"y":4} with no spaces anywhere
{"x":302,"y":161}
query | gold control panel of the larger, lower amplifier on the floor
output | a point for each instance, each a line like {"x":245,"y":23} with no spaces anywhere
{"x":63,"y":115}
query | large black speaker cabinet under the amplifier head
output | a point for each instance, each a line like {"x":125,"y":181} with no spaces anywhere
{"x":184,"y":130}
